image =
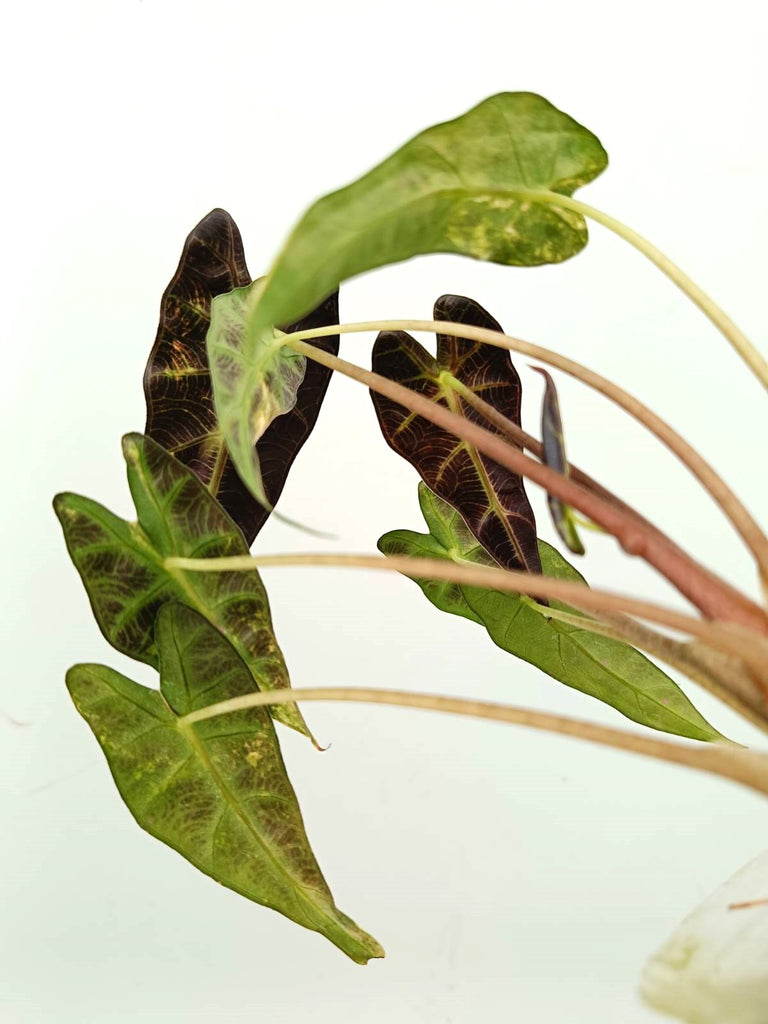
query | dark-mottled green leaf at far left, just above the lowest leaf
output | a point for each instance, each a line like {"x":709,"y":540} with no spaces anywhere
{"x":122,"y":566}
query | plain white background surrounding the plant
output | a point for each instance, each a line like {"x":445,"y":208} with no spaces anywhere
{"x":510,"y":876}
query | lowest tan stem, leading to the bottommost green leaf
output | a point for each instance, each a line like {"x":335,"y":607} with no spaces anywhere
{"x":747,"y":767}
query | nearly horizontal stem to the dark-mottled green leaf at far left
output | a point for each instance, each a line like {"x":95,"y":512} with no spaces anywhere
{"x":733,"y":641}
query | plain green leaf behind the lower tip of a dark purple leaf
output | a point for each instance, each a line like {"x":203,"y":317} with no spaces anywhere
{"x":607,"y":669}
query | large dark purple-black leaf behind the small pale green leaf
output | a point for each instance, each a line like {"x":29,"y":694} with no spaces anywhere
{"x":181,"y":413}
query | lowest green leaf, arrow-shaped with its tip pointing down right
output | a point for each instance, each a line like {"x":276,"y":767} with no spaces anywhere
{"x":217,"y":791}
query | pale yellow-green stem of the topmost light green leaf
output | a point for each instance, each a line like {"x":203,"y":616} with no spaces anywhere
{"x":723,"y":323}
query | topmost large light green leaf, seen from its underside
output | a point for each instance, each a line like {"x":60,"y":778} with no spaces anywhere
{"x":468,"y":187}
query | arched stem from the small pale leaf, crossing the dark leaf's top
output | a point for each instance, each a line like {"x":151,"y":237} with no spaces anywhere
{"x":739,"y":516}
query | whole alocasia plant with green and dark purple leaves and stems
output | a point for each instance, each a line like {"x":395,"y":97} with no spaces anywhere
{"x":233,"y":395}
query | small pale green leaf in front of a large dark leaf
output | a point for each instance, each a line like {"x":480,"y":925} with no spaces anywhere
{"x":253,"y":383}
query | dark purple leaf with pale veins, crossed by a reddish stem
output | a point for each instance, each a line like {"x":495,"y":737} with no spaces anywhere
{"x":490,"y":498}
